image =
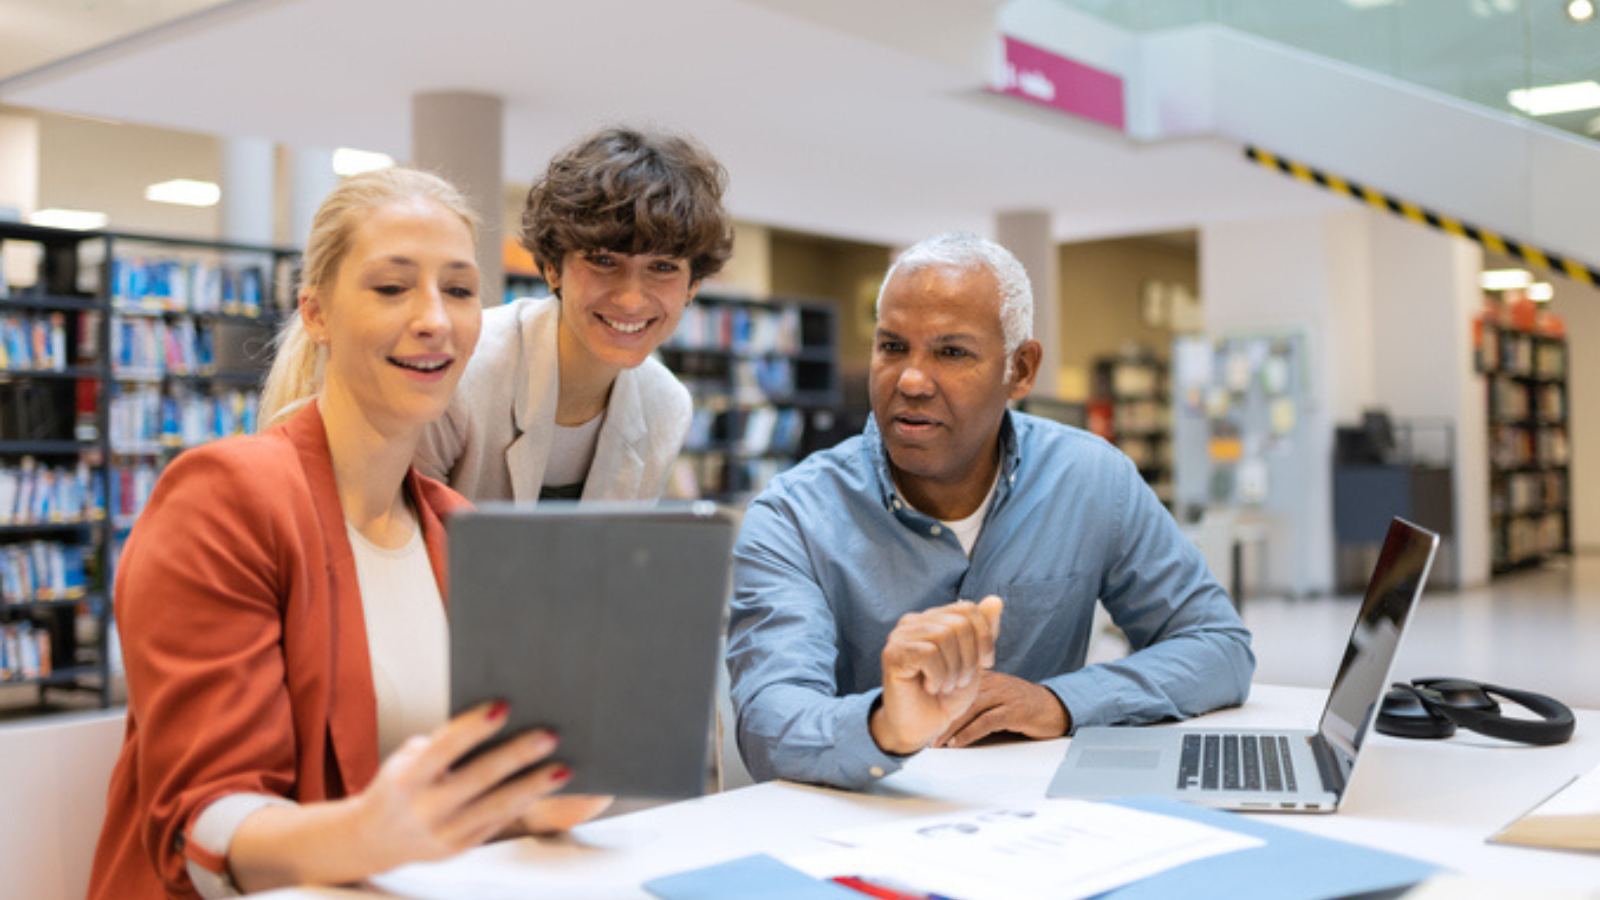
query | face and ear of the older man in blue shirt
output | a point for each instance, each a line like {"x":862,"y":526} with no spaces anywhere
{"x":938,"y":377}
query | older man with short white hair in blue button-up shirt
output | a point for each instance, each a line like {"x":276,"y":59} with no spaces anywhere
{"x":855,"y":638}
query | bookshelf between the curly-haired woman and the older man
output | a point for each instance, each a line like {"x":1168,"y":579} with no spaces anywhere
{"x":764,"y":377}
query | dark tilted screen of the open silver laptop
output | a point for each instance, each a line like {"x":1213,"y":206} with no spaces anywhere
{"x":1364,"y":673}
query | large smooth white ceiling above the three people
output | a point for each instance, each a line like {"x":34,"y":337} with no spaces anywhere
{"x":826,"y":121}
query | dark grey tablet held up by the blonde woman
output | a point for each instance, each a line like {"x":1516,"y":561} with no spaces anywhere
{"x":601,"y":622}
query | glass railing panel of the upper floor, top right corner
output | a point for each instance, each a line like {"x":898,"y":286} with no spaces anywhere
{"x":1486,"y":52}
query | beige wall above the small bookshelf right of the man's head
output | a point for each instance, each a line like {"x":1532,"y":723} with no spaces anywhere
{"x":1100,"y":300}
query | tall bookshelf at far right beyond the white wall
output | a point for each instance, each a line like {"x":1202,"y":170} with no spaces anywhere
{"x":1524,"y":366}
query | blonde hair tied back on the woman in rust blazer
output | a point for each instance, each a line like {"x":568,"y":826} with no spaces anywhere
{"x":298,"y":363}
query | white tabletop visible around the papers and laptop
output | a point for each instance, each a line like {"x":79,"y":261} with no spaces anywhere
{"x":1430,"y":800}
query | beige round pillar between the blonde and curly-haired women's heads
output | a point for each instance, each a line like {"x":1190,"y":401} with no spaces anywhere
{"x":460,"y":135}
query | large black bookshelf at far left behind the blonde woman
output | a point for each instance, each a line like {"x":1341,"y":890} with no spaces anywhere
{"x":118,"y":352}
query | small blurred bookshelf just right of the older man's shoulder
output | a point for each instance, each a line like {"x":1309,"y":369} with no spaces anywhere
{"x":1132,"y":408}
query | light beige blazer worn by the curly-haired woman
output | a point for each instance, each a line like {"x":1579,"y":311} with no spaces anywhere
{"x":495,"y":440}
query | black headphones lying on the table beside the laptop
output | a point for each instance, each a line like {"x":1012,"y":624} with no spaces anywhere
{"x":1434,"y":707}
